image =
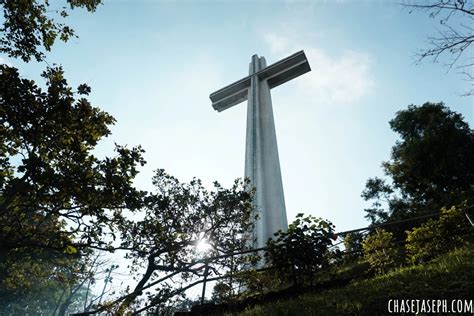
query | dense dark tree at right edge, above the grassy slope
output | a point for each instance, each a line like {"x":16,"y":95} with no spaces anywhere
{"x":431,"y":166}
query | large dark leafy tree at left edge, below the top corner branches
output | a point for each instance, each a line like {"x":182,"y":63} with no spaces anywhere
{"x":57,"y":200}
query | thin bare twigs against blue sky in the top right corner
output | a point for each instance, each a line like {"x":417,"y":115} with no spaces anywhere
{"x":454,"y":39}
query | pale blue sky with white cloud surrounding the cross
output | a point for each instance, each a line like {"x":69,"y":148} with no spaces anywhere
{"x":153,"y":64}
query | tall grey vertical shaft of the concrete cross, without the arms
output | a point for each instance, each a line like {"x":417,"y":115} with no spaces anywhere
{"x":262,"y":164}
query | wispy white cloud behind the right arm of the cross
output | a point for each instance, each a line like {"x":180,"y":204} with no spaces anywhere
{"x":340,"y":78}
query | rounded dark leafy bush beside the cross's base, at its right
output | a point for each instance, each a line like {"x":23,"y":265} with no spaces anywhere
{"x":299,"y":252}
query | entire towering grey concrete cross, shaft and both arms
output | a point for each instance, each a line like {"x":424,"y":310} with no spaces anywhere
{"x":262,"y":165}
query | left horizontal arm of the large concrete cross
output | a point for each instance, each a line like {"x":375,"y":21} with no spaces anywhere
{"x":231,"y":95}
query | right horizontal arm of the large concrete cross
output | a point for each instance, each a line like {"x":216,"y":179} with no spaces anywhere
{"x":285,"y":69}
